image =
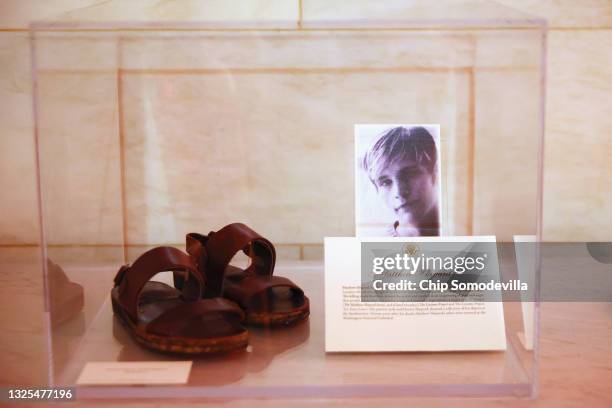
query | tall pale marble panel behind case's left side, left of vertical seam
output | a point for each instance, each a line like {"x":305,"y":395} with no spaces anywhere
{"x":80,"y":172}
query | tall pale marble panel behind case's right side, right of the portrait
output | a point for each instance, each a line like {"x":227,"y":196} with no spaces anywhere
{"x":507,"y":153}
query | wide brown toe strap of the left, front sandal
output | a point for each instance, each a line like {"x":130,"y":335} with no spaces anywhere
{"x":188,"y":315}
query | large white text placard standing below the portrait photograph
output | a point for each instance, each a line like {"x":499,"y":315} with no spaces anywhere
{"x":413,"y":294}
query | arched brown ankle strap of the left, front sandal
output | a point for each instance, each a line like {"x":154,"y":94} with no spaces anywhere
{"x":132,"y":278}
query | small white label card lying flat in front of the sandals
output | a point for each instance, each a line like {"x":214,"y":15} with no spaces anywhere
{"x":135,"y":372}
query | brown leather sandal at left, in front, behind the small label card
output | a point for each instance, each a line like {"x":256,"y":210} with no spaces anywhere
{"x":163,"y":318}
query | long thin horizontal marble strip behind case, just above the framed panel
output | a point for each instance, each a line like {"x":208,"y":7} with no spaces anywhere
{"x":298,"y":50}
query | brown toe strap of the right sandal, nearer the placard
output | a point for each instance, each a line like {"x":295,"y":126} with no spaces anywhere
{"x":249,"y":287}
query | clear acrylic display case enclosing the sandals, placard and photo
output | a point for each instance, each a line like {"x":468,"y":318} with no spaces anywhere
{"x":148,"y":131}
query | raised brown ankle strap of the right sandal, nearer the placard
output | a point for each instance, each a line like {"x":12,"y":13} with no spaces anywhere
{"x":220,"y":248}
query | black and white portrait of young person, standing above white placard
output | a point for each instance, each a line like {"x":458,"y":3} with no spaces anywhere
{"x":397,"y":180}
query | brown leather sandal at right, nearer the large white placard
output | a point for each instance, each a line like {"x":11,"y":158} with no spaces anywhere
{"x":267,"y":300}
